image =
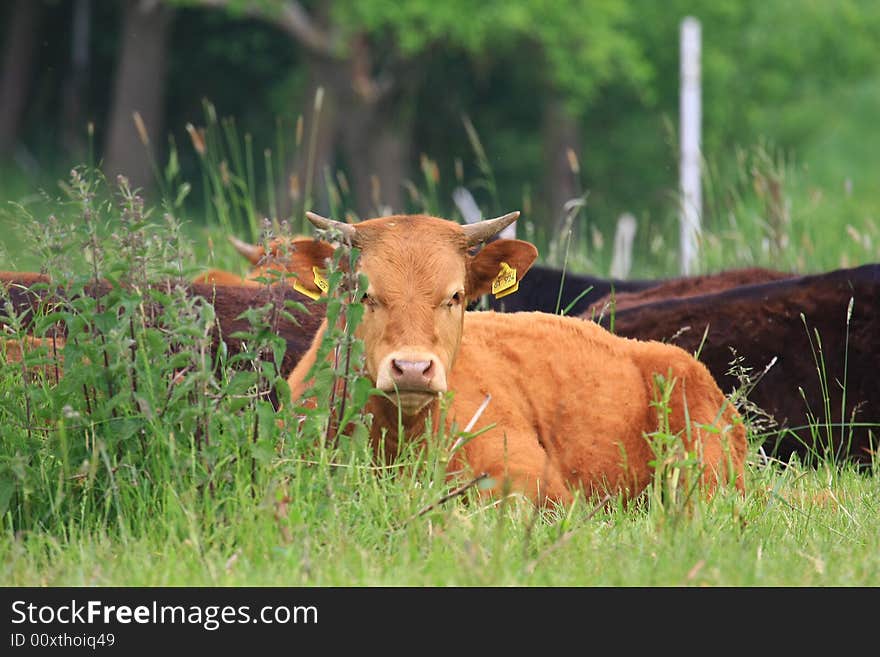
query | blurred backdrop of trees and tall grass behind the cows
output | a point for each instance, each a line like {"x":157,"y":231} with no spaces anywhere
{"x":226,"y":112}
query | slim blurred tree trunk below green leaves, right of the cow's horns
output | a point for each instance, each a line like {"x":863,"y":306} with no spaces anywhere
{"x":562,"y":153}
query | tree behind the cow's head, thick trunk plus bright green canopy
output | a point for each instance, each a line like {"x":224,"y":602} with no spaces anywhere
{"x":366,"y":55}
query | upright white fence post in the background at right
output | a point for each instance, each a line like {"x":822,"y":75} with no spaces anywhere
{"x":689,"y":143}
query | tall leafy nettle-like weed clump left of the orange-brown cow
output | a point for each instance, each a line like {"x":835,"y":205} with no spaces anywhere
{"x":144,"y":405}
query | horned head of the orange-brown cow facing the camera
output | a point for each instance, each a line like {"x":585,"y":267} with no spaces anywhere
{"x":421,"y":277}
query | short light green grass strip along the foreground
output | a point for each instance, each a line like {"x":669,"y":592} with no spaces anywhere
{"x":798,"y":528}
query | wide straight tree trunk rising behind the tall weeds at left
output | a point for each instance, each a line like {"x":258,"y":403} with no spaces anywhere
{"x":139,"y":88}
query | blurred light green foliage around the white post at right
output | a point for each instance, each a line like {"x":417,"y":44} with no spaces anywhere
{"x":781,"y":76}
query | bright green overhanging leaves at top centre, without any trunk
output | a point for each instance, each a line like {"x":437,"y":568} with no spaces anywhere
{"x":580,"y":55}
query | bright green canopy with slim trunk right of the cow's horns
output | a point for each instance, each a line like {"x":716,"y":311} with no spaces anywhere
{"x":579,"y":46}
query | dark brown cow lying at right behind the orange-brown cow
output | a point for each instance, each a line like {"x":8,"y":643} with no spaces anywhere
{"x":787,"y":322}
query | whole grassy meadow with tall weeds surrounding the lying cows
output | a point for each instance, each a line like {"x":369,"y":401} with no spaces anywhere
{"x":152,"y":461}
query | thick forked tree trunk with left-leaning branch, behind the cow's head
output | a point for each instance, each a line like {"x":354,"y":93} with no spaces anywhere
{"x":356,"y":112}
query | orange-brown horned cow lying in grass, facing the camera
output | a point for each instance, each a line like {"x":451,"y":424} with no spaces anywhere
{"x":570,"y":403}
